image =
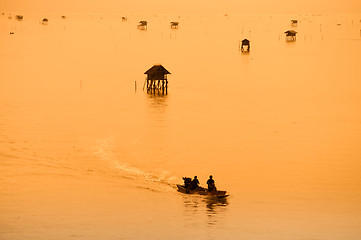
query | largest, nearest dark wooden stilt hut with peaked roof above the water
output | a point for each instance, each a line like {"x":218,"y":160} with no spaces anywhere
{"x":156,"y":80}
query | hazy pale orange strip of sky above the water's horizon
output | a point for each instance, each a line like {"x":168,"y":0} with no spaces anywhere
{"x":187,"y":6}
